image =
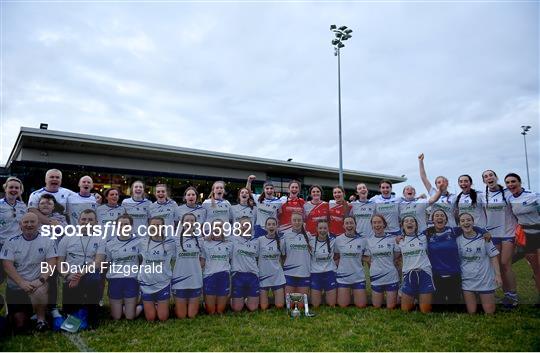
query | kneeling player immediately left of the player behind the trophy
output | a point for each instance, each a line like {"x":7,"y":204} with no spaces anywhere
{"x":271,"y":275}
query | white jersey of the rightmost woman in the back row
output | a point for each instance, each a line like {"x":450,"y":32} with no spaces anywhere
{"x":525,"y":207}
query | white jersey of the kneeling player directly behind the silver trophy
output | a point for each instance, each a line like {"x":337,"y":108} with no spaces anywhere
{"x":297,"y":256}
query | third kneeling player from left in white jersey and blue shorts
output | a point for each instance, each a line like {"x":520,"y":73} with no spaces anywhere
{"x":187,"y":273}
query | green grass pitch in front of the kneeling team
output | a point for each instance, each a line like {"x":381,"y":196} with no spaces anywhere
{"x":334,"y":329}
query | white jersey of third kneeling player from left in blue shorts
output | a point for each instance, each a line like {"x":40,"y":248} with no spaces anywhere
{"x":187,"y":272}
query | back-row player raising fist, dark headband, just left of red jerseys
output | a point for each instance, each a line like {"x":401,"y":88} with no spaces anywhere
{"x":268,"y":205}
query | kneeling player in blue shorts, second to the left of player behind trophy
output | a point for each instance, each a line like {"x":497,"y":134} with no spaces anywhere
{"x":244,"y":268}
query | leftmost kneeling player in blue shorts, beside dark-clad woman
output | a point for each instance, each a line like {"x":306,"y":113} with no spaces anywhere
{"x":122,"y":253}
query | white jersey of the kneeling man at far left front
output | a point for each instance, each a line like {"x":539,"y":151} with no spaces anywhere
{"x":27,"y":255}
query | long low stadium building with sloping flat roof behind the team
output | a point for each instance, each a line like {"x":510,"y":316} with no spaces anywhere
{"x":115,"y":162}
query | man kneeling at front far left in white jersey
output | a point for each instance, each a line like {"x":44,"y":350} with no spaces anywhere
{"x":27,"y":287}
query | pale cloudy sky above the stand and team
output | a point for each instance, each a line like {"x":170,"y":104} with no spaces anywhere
{"x":454,"y":80}
